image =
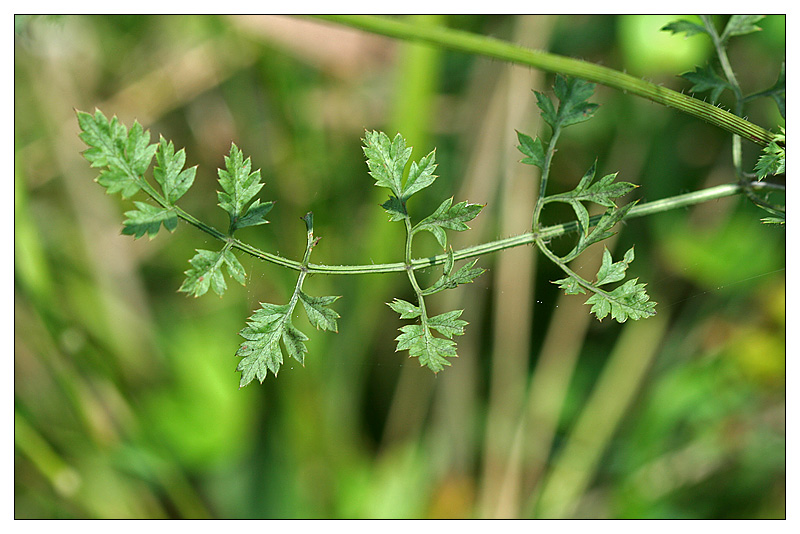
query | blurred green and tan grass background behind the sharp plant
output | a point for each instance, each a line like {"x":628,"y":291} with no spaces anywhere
{"x":126,"y":399}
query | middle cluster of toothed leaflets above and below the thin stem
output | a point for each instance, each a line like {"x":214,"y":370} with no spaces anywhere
{"x":387,"y":160}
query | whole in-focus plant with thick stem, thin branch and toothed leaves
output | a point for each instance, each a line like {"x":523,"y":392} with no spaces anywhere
{"x":125,"y":156}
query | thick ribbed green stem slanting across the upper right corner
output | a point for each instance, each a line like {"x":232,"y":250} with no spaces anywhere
{"x":487,"y":46}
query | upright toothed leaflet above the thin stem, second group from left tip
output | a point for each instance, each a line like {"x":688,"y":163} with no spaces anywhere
{"x":239,"y":186}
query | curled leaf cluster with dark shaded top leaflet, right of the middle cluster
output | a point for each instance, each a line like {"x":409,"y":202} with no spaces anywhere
{"x":630,"y":299}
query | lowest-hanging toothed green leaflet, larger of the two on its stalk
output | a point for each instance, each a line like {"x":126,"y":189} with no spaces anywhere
{"x":261,"y":350}
